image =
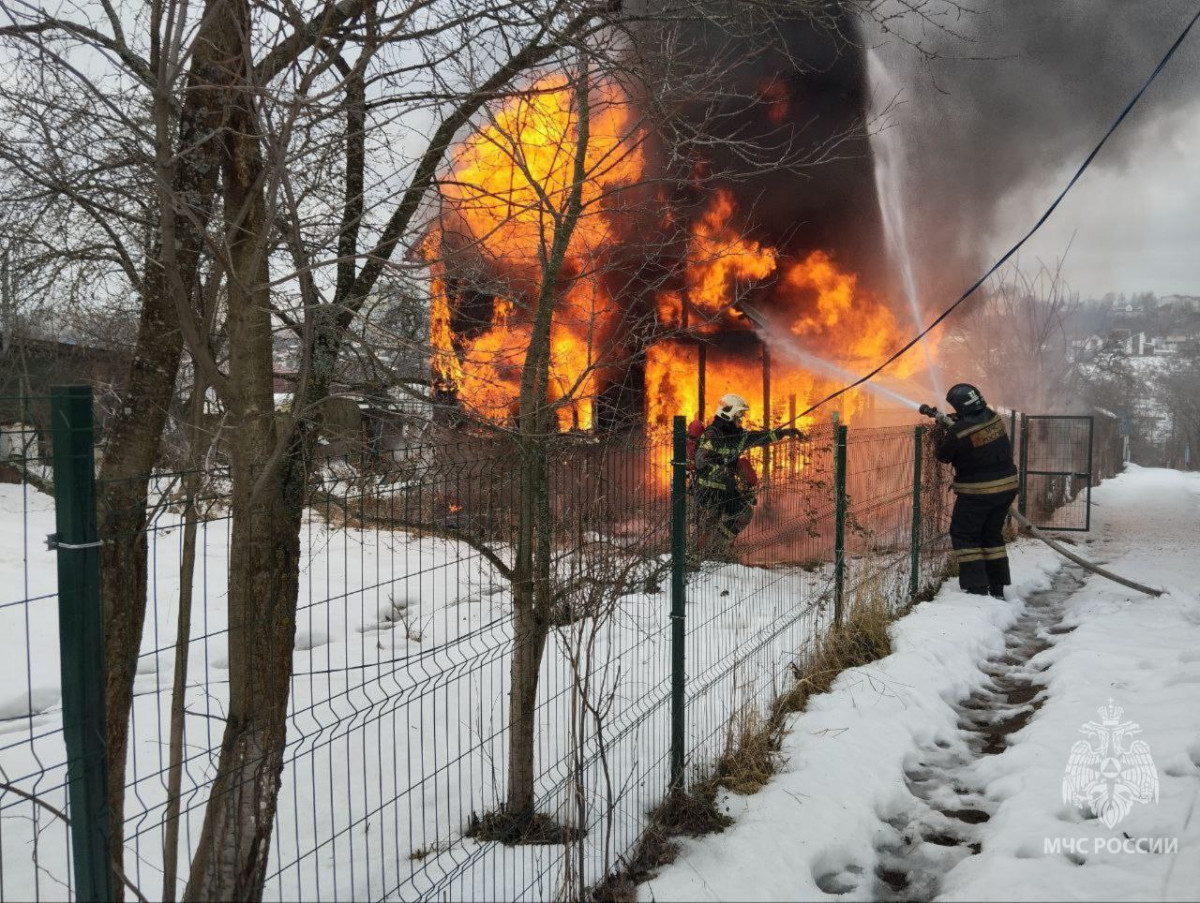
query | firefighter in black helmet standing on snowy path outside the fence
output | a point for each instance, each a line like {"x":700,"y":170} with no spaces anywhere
{"x":977,"y":445}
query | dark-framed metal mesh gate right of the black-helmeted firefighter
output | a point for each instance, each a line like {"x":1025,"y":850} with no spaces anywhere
{"x":1055,"y":455}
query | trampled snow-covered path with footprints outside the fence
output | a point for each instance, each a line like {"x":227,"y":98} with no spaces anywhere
{"x":940,"y":770}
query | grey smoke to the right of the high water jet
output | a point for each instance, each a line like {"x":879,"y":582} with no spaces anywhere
{"x":1012,"y":95}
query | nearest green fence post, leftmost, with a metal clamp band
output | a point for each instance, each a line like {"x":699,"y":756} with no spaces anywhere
{"x":81,"y":641}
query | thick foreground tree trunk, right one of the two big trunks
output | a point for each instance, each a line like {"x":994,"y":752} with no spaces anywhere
{"x":265,"y":563}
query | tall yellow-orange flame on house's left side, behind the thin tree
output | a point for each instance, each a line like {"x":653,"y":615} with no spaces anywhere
{"x":509,"y":186}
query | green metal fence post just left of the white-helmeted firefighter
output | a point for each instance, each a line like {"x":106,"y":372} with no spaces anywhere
{"x":679,"y":595}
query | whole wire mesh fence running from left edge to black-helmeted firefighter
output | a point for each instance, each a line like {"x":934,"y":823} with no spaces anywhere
{"x":399,"y":717}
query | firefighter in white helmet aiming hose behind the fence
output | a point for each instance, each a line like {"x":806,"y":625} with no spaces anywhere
{"x":724,"y":499}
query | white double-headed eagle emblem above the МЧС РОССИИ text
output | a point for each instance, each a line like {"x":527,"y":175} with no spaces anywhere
{"x":1111,"y":772}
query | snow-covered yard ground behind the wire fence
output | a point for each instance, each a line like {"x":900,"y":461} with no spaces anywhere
{"x":398,"y":728}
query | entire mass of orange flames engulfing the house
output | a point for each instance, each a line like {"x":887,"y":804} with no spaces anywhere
{"x":508,"y":188}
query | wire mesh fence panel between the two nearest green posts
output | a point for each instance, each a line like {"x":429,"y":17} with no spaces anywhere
{"x":398,"y":733}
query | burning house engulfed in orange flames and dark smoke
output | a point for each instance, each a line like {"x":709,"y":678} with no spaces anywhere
{"x":674,"y":288}
